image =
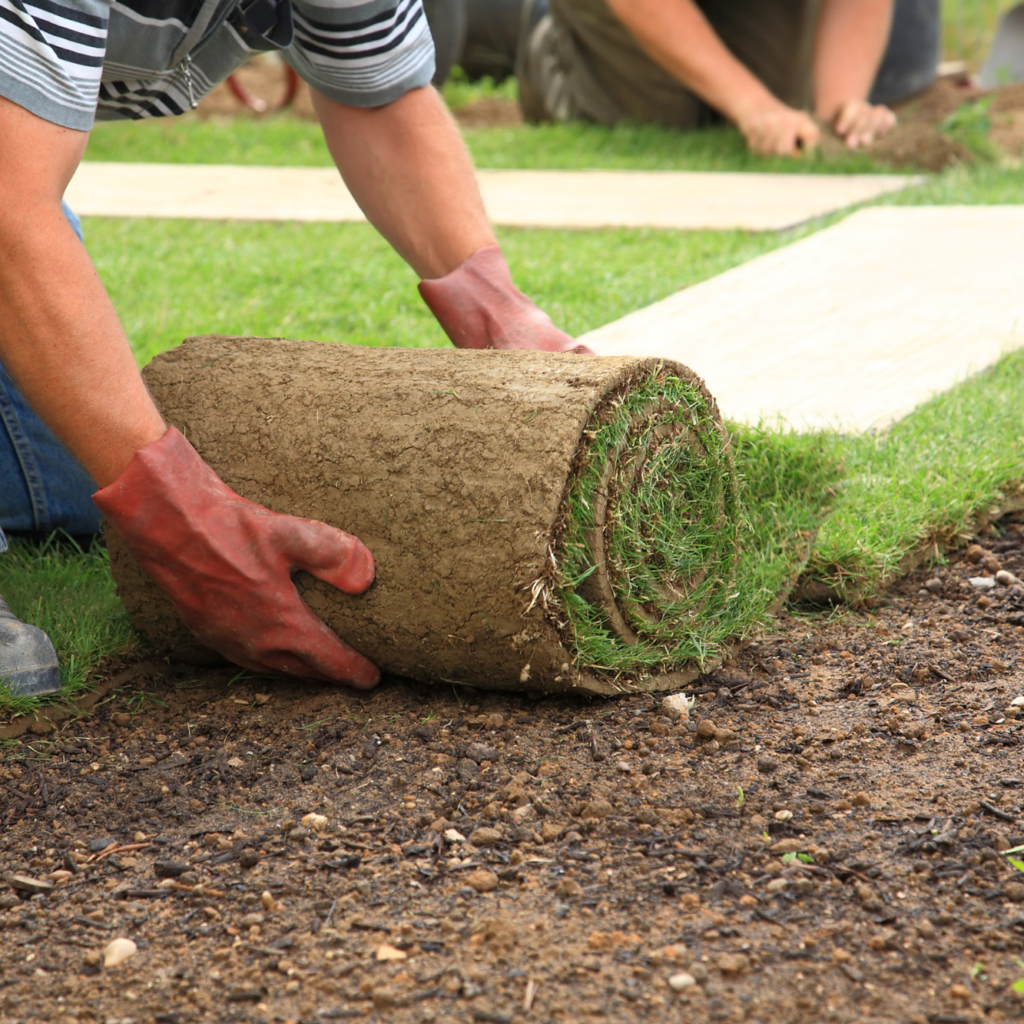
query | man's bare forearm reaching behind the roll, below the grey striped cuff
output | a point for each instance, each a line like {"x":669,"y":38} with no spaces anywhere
{"x":408,"y":168}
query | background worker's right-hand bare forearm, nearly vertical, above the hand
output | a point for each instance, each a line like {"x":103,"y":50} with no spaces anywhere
{"x":849,"y":46}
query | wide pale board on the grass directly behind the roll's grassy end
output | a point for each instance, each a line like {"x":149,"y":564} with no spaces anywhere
{"x":852,"y":327}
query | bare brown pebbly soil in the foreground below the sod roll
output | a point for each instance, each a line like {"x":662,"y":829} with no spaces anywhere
{"x":608,"y":848}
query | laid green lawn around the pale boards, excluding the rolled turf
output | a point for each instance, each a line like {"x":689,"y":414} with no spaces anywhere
{"x":872,"y":499}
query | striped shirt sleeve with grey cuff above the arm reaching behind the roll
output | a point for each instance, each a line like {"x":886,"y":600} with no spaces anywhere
{"x":362,"y":53}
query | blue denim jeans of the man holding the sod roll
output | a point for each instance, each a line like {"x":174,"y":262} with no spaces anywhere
{"x":44,"y":487}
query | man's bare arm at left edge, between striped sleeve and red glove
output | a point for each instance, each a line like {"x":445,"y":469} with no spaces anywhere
{"x":60,"y":336}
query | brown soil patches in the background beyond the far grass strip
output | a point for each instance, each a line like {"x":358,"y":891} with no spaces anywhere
{"x":915,"y":143}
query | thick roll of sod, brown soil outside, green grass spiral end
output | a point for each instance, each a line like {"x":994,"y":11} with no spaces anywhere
{"x":539,"y":522}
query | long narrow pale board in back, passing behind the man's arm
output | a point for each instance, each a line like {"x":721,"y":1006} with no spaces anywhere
{"x":528,"y":199}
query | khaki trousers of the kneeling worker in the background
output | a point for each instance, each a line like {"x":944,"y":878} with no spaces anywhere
{"x":581,"y":64}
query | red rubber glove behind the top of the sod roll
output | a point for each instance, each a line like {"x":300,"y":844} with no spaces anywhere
{"x":480,"y":308}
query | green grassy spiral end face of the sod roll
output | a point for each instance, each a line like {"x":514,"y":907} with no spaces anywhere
{"x":674,"y":532}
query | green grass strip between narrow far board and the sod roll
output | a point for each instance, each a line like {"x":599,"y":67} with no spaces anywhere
{"x":344,"y":283}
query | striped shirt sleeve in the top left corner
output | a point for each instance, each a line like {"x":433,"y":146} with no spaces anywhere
{"x":52,"y":58}
